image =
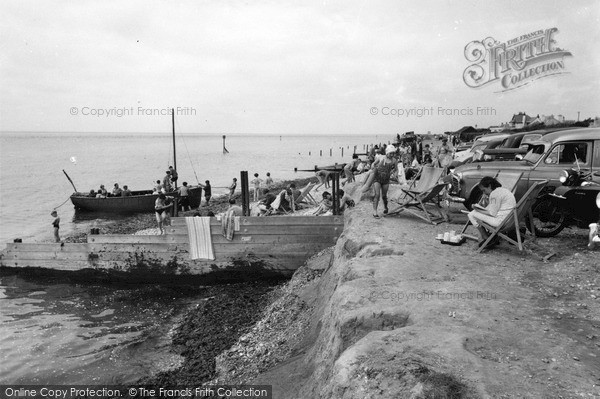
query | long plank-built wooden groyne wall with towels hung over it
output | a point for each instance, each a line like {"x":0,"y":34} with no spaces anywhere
{"x":281,"y":243}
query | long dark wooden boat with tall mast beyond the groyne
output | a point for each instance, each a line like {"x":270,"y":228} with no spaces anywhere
{"x":137,"y":202}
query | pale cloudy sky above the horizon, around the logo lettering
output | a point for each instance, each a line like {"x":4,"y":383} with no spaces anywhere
{"x":281,"y":67}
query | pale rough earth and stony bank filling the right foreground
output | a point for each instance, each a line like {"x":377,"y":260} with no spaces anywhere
{"x":391,"y":312}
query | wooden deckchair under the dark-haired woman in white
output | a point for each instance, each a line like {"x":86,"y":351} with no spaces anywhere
{"x":513,"y":219}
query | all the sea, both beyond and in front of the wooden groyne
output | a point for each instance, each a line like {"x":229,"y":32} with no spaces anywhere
{"x":64,"y":333}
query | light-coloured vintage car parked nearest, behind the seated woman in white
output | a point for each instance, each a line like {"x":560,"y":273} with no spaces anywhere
{"x":546,"y":159}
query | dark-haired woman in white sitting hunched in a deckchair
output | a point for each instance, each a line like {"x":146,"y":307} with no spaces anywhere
{"x":501,"y":202}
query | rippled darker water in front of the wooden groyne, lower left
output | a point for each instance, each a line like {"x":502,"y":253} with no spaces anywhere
{"x":74,"y":334}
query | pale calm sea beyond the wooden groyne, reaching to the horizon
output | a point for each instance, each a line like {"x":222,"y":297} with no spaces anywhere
{"x":32,"y":182}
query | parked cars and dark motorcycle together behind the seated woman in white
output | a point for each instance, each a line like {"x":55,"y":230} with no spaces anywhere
{"x":568,"y":159}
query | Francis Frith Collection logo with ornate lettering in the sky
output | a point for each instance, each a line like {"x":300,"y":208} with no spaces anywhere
{"x":515,"y":63}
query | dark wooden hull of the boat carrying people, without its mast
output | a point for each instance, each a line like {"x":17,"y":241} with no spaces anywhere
{"x":141,"y":201}
